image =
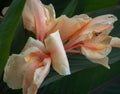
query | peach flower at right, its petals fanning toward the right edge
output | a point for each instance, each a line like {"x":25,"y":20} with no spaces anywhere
{"x":92,"y":39}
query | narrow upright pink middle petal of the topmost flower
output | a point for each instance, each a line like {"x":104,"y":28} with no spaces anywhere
{"x":40,"y":21}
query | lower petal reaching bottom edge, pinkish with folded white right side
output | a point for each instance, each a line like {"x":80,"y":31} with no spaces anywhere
{"x":34,"y":75}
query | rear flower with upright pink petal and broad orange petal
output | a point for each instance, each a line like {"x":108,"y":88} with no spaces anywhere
{"x":41,"y":20}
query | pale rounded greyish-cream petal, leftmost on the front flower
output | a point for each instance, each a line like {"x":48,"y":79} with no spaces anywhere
{"x":14,"y":70}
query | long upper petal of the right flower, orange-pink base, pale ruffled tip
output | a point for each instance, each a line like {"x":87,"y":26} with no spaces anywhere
{"x":99,"y":26}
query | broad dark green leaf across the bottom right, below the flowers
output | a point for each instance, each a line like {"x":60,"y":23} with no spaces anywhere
{"x":83,"y":81}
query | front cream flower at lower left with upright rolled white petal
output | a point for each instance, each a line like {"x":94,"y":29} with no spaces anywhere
{"x":28,"y":69}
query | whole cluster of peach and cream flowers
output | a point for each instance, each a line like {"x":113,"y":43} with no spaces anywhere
{"x":54,"y":37}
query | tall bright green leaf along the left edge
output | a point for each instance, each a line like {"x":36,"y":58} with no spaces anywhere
{"x":7,"y":28}
